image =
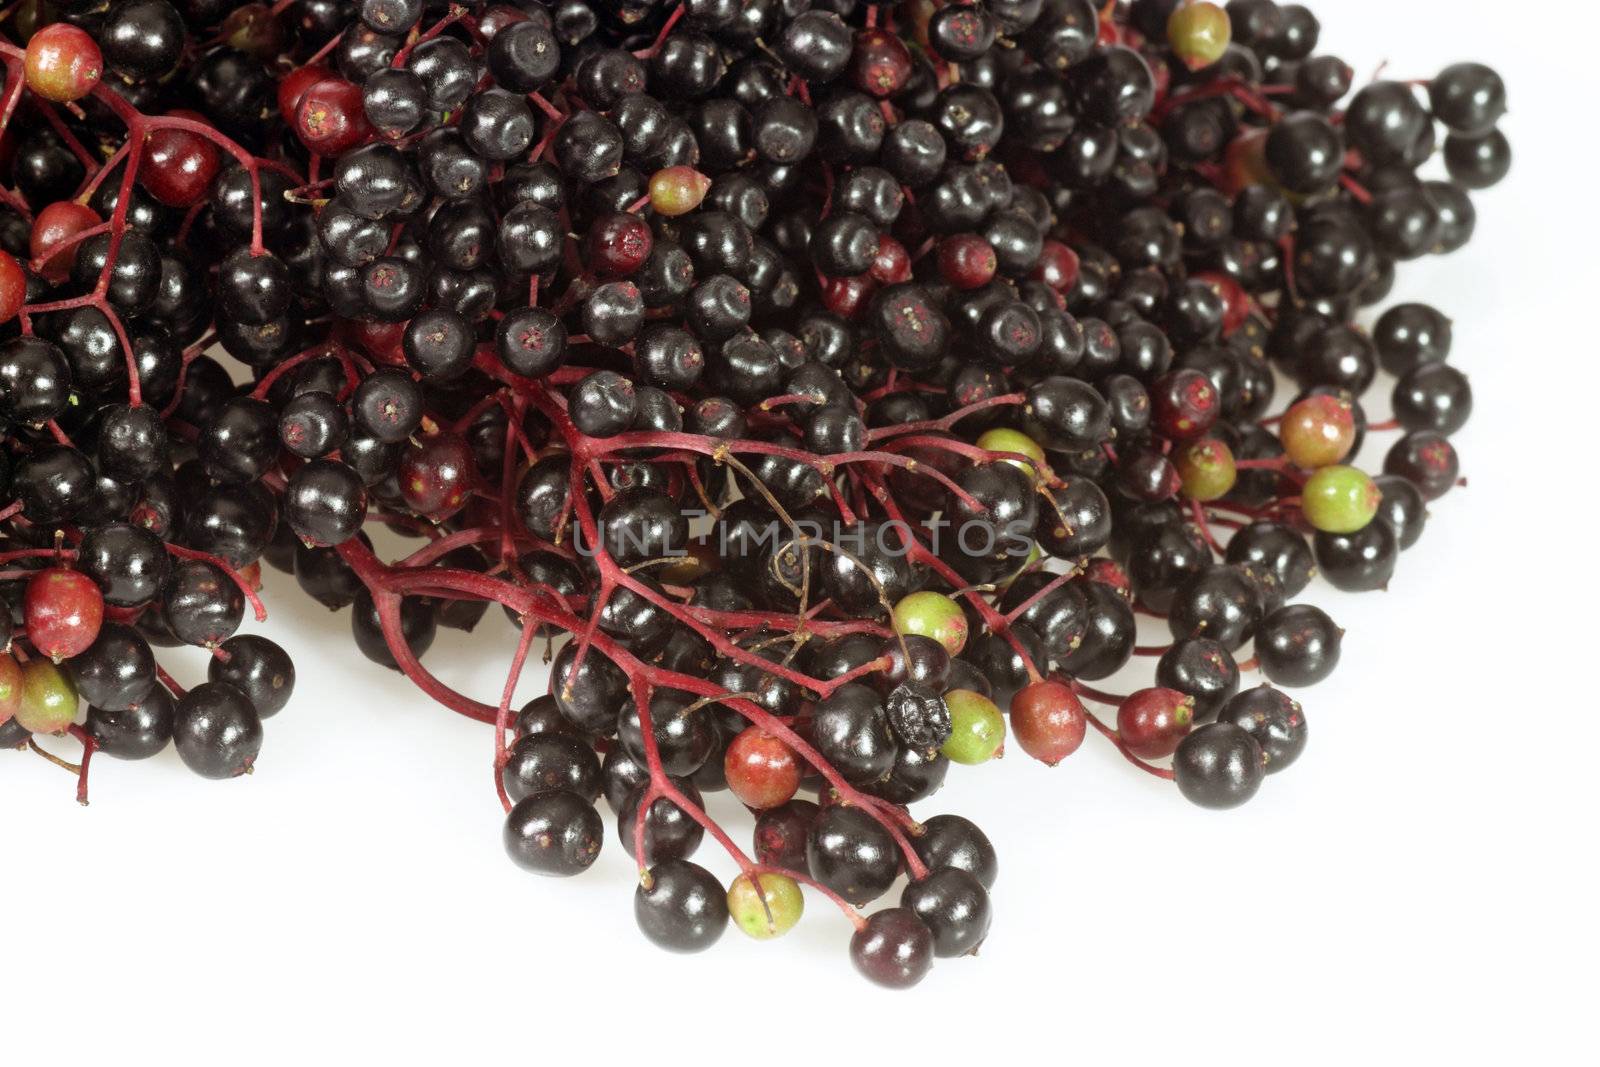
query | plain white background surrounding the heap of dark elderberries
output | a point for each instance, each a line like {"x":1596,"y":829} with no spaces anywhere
{"x":1420,"y":885}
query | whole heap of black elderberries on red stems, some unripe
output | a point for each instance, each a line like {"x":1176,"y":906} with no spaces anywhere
{"x":826,"y":388}
